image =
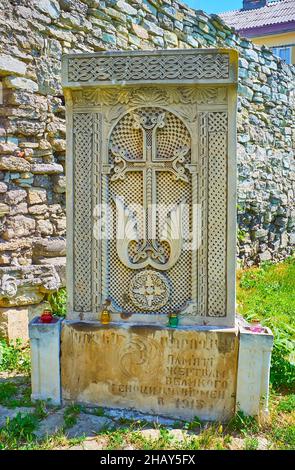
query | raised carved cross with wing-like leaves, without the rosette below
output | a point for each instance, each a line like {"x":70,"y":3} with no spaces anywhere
{"x":149,"y":250}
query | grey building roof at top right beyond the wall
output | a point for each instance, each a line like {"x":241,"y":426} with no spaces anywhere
{"x":272,"y":14}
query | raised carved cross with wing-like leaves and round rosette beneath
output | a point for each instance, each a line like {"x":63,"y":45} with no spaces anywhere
{"x":149,"y":289}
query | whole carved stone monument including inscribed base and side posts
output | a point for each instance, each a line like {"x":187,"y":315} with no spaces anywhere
{"x":151,"y":233}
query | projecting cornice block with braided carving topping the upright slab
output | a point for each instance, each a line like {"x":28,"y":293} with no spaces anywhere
{"x":180,"y":66}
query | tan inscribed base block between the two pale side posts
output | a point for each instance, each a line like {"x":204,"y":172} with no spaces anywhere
{"x":179,"y":373}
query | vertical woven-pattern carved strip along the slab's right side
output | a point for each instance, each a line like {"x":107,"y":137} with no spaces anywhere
{"x":213,"y":196}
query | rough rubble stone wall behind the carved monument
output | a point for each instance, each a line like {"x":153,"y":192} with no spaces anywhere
{"x":33,"y":36}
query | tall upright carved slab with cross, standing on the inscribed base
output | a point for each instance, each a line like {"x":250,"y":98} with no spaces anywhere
{"x":152,"y":130}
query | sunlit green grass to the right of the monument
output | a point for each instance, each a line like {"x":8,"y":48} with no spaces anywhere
{"x":267,"y":293}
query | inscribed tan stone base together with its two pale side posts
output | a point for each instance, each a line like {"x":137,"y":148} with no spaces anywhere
{"x":179,"y":373}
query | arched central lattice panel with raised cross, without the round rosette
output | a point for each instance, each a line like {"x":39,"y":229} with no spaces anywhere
{"x":150,"y":150}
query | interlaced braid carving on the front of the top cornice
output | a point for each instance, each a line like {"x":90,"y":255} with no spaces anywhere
{"x":152,"y":68}
